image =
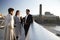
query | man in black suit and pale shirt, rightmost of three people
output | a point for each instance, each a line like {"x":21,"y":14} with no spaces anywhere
{"x":28,"y":19}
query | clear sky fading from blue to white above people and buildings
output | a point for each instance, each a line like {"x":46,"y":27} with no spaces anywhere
{"x":52,"y":6}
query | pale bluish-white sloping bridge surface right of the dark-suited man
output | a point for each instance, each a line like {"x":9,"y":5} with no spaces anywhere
{"x":38,"y":32}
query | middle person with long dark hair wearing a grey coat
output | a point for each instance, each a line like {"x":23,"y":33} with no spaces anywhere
{"x":19,"y":29}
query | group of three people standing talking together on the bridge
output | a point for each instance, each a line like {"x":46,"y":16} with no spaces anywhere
{"x":16,"y":27}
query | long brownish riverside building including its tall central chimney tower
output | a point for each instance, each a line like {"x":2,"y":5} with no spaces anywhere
{"x":48,"y":18}
